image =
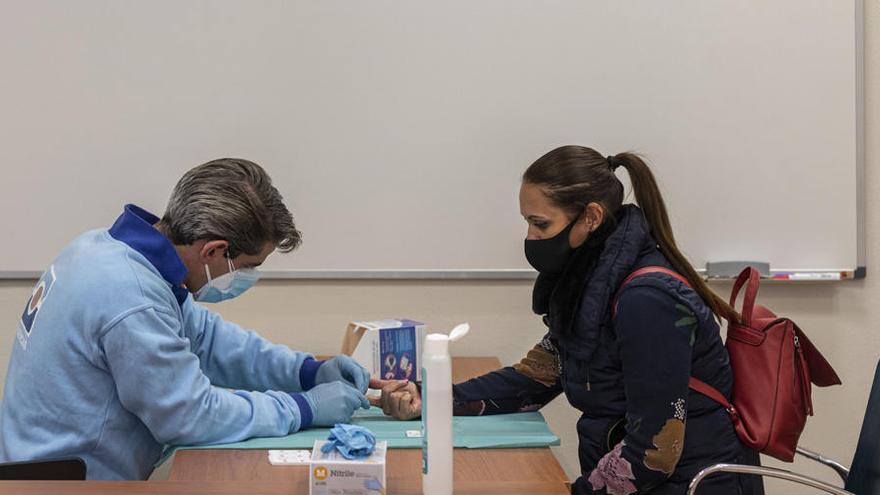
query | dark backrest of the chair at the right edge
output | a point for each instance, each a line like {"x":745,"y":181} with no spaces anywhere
{"x":864,"y":475}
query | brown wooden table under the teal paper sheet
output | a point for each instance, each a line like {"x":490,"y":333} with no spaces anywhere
{"x":476,"y":471}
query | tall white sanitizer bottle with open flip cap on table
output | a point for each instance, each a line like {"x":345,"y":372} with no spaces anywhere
{"x":437,"y":412}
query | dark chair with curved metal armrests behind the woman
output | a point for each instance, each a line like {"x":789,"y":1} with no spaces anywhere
{"x":862,"y":478}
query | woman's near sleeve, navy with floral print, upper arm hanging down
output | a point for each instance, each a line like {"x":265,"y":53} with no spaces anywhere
{"x":654,"y":335}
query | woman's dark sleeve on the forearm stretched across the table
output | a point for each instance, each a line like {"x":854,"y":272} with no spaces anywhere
{"x":525,"y":386}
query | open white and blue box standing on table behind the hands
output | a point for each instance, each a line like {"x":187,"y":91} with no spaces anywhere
{"x":388,"y":349}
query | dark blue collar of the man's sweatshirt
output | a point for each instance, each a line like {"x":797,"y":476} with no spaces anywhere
{"x":135,"y":228}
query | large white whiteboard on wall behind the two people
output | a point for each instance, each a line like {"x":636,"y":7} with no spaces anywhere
{"x":398,"y":131}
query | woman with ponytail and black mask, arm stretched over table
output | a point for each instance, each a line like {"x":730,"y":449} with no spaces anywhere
{"x":641,"y":430}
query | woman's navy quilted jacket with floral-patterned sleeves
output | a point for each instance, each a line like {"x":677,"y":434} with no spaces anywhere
{"x":642,"y":430}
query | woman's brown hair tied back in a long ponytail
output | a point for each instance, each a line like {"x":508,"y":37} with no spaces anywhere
{"x":576,"y":176}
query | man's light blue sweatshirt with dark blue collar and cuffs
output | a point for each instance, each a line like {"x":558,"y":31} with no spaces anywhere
{"x":113,"y":360}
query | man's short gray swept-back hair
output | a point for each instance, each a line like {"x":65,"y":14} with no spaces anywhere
{"x":230,"y":199}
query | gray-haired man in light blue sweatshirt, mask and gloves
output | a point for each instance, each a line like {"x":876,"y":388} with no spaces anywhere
{"x":114,"y":360}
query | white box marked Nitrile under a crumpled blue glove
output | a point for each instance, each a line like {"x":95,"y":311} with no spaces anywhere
{"x":332,"y":474}
